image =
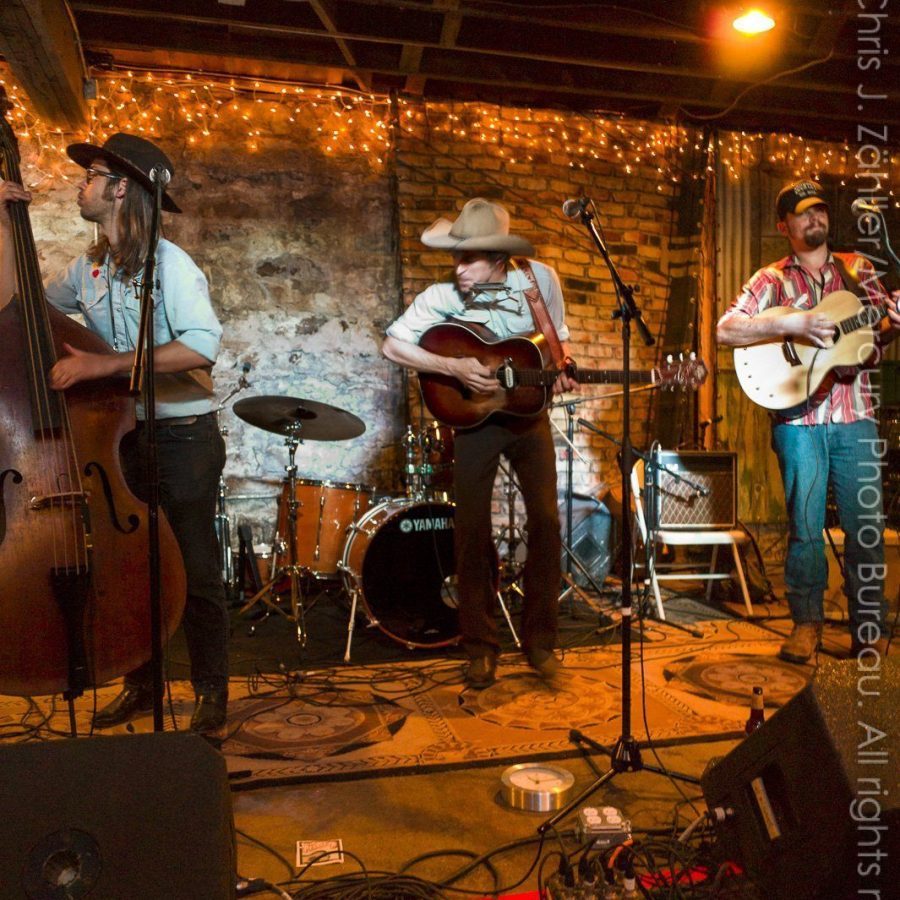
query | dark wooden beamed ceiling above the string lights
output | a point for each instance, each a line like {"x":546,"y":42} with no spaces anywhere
{"x":655,"y":59}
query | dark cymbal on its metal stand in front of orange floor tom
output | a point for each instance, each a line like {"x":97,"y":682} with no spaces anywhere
{"x":296,"y":420}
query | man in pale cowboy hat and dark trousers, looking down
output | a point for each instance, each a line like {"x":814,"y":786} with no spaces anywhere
{"x":490,"y":291}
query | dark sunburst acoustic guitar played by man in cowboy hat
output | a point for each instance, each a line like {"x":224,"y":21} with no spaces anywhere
{"x":524,"y":380}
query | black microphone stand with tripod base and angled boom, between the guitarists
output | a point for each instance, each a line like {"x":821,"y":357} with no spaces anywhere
{"x":625,"y":755}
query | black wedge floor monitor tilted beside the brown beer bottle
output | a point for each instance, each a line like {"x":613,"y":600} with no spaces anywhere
{"x":809,"y":803}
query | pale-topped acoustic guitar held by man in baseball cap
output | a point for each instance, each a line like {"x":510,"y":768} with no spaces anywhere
{"x":784,"y":375}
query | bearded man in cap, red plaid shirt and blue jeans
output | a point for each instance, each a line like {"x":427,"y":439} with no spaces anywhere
{"x":833,"y":439}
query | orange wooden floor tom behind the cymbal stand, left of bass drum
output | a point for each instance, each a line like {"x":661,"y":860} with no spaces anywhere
{"x":325,"y":510}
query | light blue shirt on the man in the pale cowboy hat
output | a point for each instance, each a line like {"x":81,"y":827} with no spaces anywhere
{"x":505,"y":312}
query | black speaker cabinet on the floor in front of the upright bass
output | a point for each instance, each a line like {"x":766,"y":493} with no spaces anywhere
{"x":142,"y":817}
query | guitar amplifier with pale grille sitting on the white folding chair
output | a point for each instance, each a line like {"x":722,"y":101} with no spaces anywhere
{"x":712,"y":504}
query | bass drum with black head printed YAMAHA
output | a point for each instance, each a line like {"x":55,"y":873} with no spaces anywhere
{"x":399,"y":560}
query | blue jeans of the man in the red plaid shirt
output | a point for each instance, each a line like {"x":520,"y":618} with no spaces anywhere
{"x":849,"y":457}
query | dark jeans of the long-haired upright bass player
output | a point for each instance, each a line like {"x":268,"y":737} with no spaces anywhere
{"x":191,"y":458}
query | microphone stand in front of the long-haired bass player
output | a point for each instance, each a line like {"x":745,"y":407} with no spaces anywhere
{"x":143,"y":381}
